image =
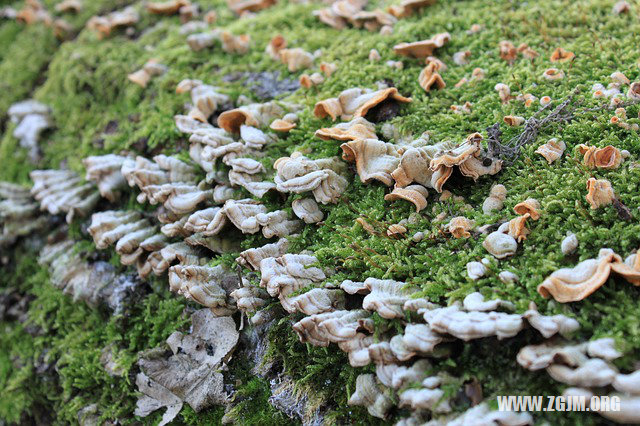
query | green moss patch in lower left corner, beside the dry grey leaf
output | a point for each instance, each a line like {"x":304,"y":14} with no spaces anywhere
{"x":65,"y":339}
